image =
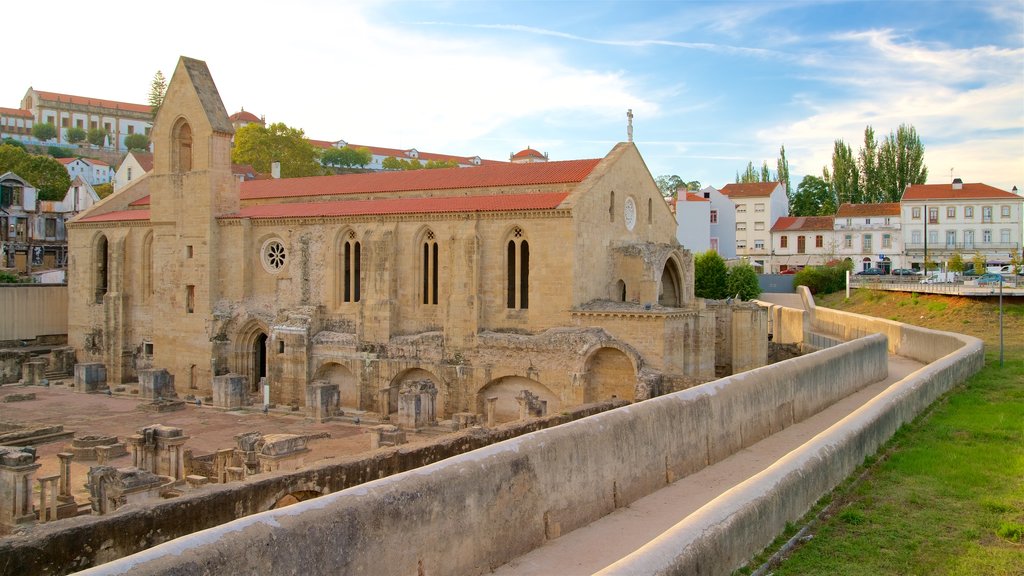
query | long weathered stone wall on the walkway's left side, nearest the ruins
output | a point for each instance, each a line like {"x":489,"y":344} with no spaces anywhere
{"x":446,"y":518}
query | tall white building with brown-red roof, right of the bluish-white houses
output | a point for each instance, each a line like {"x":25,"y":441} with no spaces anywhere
{"x":758,"y":207}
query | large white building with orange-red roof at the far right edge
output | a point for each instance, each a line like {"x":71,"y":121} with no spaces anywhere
{"x":969,"y":219}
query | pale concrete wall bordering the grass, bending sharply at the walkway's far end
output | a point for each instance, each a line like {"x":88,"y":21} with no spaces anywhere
{"x":726,"y":533}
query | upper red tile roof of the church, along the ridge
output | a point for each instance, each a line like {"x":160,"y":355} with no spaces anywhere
{"x":501,"y":175}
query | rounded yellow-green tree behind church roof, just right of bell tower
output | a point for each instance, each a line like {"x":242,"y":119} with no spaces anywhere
{"x":260,"y":146}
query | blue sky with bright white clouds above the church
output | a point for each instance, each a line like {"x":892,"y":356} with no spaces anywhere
{"x":712,"y":86}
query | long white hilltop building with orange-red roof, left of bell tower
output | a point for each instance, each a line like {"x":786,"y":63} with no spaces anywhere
{"x":67,"y":111}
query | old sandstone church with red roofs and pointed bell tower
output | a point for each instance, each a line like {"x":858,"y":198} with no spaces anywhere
{"x":564,"y":279}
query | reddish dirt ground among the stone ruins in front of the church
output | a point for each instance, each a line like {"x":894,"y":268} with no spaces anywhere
{"x":209,"y":429}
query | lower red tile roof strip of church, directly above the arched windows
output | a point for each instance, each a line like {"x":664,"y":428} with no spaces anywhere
{"x":497,"y":203}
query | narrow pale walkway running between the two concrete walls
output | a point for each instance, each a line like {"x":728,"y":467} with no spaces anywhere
{"x":595,"y":547}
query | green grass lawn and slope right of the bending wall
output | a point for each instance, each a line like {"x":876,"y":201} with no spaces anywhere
{"x":947,"y":495}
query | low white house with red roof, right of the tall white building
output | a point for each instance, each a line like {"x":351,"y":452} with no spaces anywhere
{"x":802,"y":241}
